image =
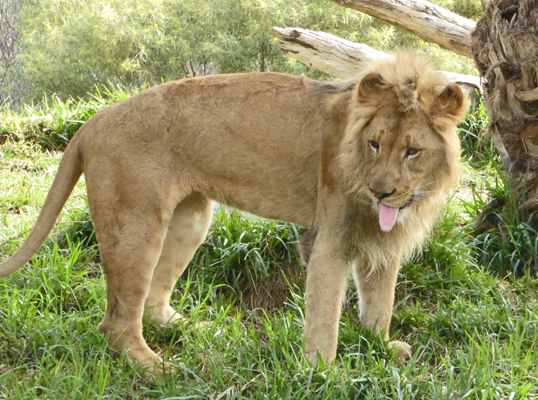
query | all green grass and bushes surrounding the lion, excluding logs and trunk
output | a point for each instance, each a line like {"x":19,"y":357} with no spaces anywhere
{"x":468,"y":303}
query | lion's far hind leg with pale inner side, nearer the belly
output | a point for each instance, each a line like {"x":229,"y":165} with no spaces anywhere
{"x":186,"y":231}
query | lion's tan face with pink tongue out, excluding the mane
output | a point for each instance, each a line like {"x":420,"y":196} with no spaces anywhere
{"x":399,"y":157}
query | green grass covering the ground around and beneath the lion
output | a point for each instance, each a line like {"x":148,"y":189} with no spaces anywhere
{"x":468,"y":304}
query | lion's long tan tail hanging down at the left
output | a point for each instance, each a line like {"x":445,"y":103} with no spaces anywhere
{"x":68,"y":174}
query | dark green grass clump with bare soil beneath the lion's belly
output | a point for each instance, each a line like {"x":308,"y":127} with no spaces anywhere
{"x":256,"y":259}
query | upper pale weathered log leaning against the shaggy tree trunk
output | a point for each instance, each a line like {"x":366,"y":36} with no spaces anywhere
{"x":426,"y":20}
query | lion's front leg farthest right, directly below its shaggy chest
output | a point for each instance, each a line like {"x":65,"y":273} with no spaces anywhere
{"x":376,"y":300}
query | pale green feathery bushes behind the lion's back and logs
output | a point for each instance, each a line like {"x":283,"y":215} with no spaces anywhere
{"x":71,"y":46}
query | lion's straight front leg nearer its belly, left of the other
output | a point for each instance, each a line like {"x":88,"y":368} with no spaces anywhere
{"x":326,"y":284}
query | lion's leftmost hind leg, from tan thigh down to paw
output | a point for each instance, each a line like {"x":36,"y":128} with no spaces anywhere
{"x":130,"y":226}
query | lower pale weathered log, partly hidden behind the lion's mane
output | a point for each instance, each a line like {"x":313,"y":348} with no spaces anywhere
{"x":342,"y":58}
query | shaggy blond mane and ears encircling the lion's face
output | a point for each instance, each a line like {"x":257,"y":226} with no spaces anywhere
{"x":409,"y":84}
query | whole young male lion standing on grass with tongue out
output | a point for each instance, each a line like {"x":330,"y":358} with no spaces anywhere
{"x":365,"y":165}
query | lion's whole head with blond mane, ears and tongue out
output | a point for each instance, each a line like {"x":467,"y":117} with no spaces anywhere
{"x":401,"y":150}
